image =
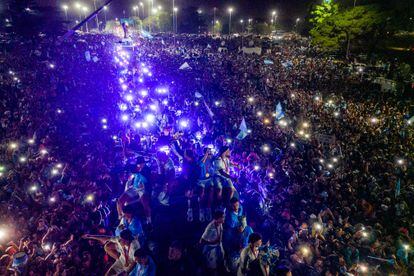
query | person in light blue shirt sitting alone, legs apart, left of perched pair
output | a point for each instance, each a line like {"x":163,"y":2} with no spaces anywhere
{"x":137,"y":189}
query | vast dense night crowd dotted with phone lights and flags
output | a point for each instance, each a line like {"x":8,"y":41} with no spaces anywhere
{"x":184,"y":156}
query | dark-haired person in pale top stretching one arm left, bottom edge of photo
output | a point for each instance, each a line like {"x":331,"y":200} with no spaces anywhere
{"x":121,"y":248}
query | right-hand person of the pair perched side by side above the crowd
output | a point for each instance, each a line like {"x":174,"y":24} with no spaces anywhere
{"x":222,"y":178}
